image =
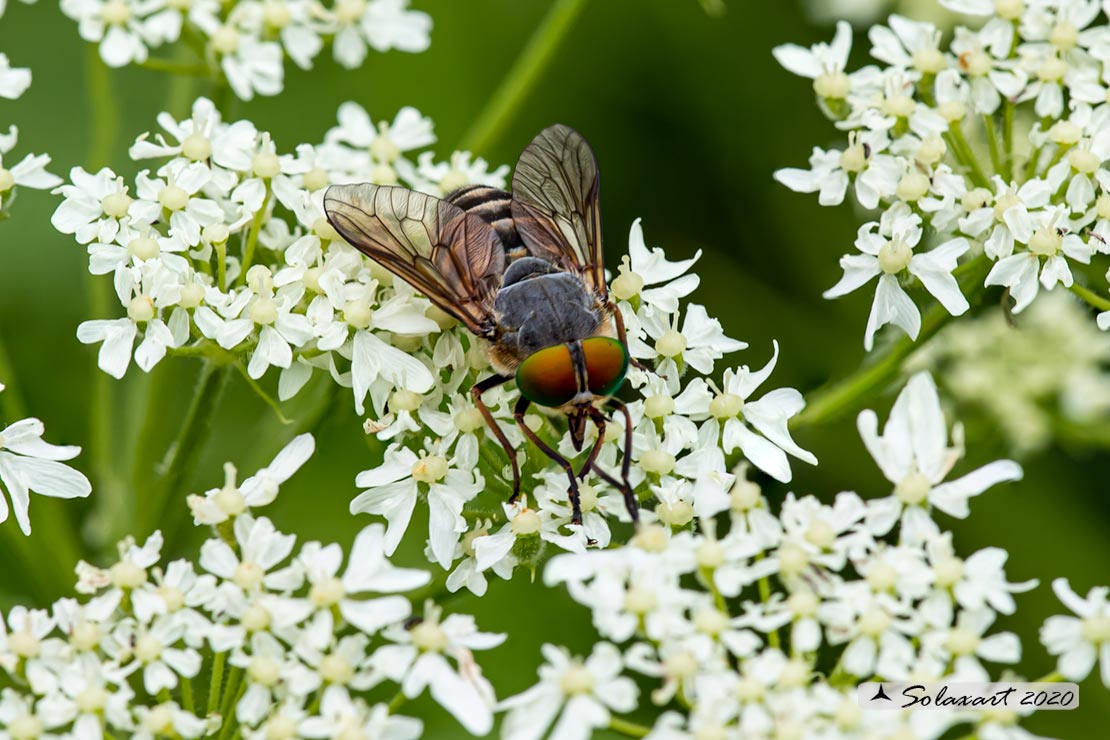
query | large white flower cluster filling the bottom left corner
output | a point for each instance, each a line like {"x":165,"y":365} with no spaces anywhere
{"x":258,"y":636}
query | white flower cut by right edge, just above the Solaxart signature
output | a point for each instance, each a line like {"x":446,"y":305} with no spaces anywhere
{"x":1083,"y":641}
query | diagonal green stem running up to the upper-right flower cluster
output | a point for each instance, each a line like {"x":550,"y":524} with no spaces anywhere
{"x":834,"y":401}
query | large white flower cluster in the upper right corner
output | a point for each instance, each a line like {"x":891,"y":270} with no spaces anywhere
{"x":985,"y":156}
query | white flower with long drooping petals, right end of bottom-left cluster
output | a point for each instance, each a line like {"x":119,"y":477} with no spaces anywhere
{"x":419,"y":661}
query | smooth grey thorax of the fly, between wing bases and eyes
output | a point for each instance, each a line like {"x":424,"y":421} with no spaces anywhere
{"x":546,"y":310}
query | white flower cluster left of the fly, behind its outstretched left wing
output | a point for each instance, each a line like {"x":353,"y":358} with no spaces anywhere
{"x":225,"y":251}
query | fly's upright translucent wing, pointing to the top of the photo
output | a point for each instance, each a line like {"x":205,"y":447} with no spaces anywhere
{"x":556,"y":204}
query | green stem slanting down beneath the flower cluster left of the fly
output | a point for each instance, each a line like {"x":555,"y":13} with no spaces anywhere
{"x":186,"y":449}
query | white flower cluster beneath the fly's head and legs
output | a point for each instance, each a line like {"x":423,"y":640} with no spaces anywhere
{"x":687,"y":428}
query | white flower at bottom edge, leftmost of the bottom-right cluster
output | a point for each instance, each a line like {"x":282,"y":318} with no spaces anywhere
{"x":581,"y":694}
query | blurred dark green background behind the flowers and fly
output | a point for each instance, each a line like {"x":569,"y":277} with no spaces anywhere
{"x":690,"y":116}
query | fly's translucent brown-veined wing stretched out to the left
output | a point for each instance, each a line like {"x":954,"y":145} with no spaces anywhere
{"x":451,"y":257}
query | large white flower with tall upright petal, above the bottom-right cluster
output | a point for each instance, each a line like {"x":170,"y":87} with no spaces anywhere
{"x":914,"y":455}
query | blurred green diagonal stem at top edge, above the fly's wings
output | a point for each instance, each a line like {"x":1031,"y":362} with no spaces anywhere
{"x":522,"y":78}
